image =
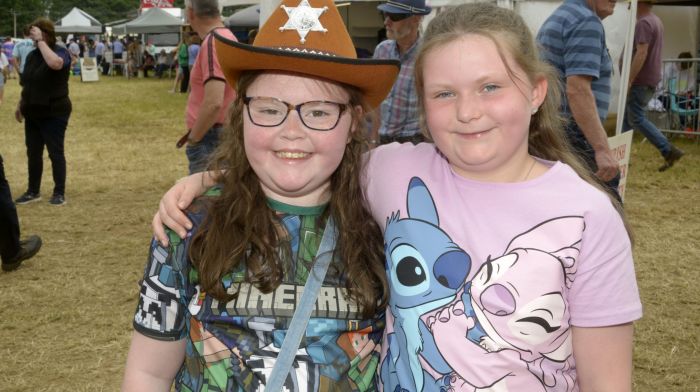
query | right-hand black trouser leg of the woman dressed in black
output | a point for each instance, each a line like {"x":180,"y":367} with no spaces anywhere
{"x":53,"y":130}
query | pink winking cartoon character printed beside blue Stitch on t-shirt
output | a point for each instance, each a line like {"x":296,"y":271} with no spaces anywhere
{"x":519,"y":300}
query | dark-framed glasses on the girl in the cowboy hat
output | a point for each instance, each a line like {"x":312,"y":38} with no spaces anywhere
{"x":316,"y":115}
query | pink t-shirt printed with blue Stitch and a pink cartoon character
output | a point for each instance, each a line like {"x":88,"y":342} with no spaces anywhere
{"x":487,"y":278}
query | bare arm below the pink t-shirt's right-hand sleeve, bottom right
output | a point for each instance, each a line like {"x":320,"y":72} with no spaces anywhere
{"x":604,"y":358}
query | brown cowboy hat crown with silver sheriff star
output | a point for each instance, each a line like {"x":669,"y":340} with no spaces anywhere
{"x":308,"y":26}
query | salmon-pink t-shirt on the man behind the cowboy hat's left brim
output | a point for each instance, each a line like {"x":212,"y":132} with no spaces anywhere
{"x":206,"y":68}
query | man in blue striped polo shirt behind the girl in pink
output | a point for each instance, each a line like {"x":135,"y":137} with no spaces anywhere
{"x":572,"y":40}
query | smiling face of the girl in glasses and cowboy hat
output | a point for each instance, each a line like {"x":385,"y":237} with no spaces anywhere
{"x":295,"y":163}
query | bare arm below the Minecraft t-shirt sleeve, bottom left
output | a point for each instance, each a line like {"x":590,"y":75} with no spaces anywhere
{"x":151,"y":364}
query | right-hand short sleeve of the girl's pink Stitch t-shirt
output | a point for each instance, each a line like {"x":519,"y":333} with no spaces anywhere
{"x":604,"y":291}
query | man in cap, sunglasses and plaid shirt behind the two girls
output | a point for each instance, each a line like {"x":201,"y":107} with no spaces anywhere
{"x":397,"y":118}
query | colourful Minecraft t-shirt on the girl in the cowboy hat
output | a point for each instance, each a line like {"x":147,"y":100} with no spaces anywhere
{"x":232,"y":346}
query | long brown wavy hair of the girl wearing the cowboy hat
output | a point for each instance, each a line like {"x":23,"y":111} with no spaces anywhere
{"x":239,"y":225}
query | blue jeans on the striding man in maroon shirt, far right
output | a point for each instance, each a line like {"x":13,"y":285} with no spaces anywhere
{"x":635,"y":118}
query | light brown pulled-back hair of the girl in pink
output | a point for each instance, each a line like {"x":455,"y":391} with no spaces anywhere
{"x":508,"y":31}
